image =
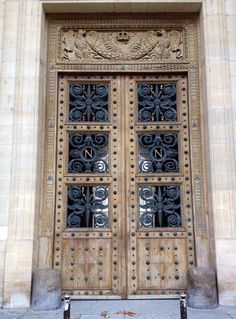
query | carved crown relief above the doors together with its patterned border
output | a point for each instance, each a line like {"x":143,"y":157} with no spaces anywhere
{"x":140,"y":38}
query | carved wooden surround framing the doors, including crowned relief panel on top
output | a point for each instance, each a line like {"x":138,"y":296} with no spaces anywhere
{"x":125,"y":27}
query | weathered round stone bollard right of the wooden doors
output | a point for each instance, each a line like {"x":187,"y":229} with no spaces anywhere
{"x":202,"y":292}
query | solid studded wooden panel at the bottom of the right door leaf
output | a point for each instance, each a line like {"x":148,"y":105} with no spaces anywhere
{"x":161,"y":264}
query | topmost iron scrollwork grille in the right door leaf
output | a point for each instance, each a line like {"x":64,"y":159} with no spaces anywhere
{"x":157,"y":102}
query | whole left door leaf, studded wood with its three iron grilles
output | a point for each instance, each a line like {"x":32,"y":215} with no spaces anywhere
{"x":89,"y":238}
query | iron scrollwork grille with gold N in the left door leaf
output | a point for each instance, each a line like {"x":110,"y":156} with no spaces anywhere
{"x":88,"y":153}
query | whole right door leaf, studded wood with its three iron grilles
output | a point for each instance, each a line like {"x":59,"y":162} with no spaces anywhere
{"x":159,"y":216}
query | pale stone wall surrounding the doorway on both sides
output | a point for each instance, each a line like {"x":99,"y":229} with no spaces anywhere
{"x":22,"y":74}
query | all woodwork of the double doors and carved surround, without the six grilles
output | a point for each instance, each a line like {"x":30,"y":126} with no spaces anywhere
{"x":123,"y":260}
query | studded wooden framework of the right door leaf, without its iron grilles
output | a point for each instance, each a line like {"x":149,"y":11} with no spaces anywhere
{"x":153,"y":253}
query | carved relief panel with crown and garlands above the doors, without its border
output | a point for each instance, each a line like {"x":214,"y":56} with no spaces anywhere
{"x":81,"y":45}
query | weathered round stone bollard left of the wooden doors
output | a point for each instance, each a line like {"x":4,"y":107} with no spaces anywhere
{"x":46,"y":290}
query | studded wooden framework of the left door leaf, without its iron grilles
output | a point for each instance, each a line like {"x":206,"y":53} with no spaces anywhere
{"x":91,"y":259}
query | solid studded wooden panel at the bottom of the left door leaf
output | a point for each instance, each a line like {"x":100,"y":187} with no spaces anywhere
{"x":84,"y":262}
